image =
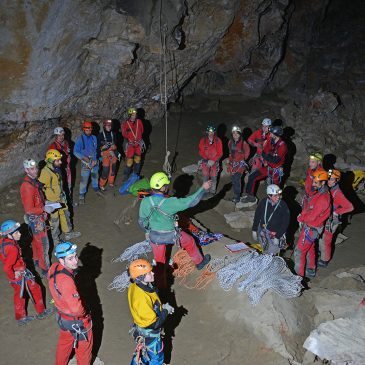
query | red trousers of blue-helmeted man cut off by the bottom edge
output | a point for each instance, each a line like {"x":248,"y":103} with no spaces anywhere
{"x":83,"y":350}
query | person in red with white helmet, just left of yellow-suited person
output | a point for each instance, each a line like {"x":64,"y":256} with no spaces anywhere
{"x":33,"y":201}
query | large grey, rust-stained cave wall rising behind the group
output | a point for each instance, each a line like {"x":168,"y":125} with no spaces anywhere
{"x":64,"y":60}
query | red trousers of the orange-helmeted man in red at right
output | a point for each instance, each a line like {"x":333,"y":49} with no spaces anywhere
{"x":303,"y":248}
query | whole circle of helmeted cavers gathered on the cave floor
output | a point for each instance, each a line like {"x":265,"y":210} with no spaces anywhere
{"x":44,"y":198}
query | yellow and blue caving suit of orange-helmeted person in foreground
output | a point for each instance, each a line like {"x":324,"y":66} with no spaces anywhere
{"x":148,"y":317}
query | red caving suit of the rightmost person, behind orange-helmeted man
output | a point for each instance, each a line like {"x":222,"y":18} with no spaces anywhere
{"x":340,"y":205}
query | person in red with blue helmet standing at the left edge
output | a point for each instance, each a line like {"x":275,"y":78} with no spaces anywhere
{"x":20,"y":278}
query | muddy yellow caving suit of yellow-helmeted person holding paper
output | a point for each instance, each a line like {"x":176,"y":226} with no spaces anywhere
{"x":51,"y":179}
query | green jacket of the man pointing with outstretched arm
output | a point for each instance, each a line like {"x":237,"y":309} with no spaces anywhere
{"x":156,"y":212}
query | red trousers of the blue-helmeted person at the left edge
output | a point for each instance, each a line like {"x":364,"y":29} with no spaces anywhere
{"x":19,"y":303}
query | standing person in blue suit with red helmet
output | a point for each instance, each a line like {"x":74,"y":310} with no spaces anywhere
{"x":86,"y":151}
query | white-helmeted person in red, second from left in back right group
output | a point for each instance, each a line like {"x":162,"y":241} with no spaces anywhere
{"x":239,"y":151}
